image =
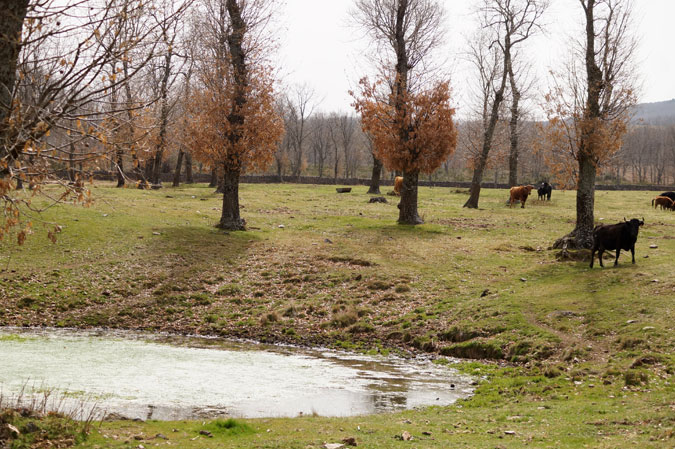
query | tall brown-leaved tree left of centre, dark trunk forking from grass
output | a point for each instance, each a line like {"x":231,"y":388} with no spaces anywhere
{"x":236,"y":125}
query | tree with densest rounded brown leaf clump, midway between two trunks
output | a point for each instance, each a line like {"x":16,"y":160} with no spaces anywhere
{"x":409,"y":118}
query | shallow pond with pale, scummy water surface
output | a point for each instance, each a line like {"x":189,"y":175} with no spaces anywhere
{"x":170,"y":378}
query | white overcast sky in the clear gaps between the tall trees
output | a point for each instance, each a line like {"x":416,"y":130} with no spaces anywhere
{"x":320,"y":48}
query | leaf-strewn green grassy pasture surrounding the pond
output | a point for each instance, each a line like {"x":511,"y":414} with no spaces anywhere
{"x":572,"y":356}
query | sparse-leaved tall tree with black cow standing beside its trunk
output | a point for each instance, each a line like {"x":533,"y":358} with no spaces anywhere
{"x":589,"y":109}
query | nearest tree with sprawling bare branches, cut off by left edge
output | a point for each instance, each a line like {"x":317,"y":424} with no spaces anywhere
{"x":74,"y":47}
